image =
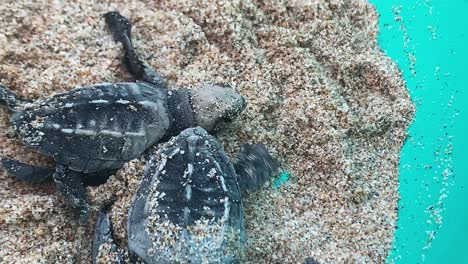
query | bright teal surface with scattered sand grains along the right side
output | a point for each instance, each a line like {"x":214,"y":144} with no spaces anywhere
{"x":429,"y":41}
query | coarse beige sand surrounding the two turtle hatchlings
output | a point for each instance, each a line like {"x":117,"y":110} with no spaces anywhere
{"x":321,"y":95}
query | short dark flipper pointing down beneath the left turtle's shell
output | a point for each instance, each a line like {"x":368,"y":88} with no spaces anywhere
{"x":70,"y":184}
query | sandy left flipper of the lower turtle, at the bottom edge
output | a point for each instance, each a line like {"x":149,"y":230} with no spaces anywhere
{"x":104,"y":249}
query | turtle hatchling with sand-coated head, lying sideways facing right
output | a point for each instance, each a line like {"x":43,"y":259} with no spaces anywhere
{"x":92,"y":131}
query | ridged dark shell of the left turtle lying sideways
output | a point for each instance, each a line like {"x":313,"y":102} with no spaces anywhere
{"x":97,"y":127}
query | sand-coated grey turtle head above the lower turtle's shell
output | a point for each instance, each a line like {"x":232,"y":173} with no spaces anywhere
{"x":214,"y":104}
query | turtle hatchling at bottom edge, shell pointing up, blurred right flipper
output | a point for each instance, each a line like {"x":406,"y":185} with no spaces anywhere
{"x":188,"y":208}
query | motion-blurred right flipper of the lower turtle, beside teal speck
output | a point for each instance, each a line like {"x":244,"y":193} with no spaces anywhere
{"x":254,"y":166}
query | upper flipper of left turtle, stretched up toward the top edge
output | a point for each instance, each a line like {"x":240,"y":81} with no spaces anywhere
{"x":121,"y":29}
